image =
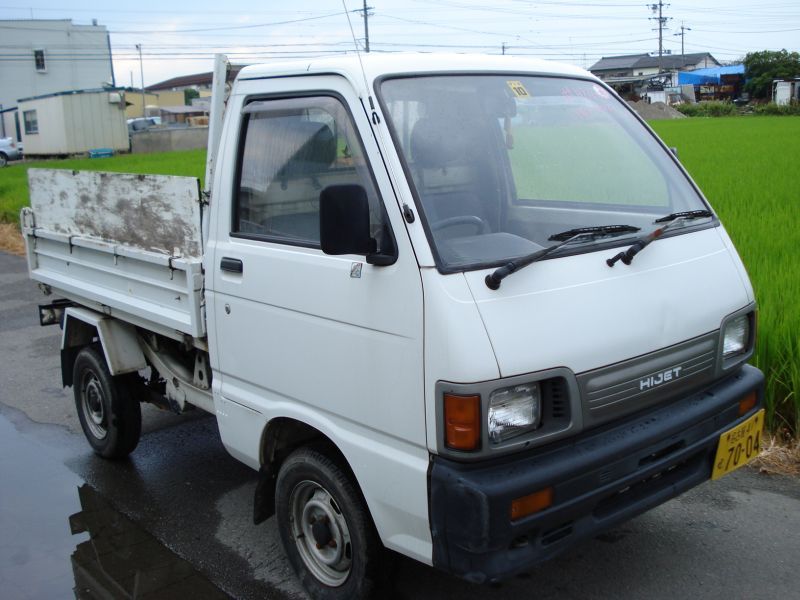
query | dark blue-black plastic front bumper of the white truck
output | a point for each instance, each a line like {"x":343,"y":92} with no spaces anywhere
{"x":600,"y":479}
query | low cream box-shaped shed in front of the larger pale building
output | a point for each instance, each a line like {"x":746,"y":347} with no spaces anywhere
{"x":74,"y":122}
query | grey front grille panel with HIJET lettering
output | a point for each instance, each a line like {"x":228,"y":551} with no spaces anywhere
{"x":623,"y":388}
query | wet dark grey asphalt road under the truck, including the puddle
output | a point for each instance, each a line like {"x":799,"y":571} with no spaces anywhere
{"x":183,"y":495}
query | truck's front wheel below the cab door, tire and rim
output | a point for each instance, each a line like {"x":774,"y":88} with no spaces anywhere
{"x":325,"y":528}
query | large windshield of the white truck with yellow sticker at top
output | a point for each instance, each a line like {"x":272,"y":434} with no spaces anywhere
{"x":501,"y":163}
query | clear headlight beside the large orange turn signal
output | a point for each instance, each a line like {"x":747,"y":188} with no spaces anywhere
{"x":513,"y":411}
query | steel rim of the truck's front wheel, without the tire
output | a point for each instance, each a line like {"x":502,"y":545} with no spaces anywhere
{"x":321,"y":533}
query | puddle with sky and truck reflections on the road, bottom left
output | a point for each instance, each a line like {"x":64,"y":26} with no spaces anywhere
{"x":60,"y":538}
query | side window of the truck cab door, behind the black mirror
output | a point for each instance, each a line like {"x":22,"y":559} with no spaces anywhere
{"x":292,"y":150}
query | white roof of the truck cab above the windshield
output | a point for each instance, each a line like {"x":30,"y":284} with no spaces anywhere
{"x":378,"y":65}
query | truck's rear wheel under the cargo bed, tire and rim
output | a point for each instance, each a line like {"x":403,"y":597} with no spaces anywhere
{"x":110,"y":417}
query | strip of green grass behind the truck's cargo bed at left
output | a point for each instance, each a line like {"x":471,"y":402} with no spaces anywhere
{"x":14,"y":177}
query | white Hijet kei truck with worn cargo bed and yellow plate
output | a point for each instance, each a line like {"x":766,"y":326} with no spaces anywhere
{"x":465,"y":308}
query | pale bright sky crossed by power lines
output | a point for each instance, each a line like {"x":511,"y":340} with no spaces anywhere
{"x":181,"y":37}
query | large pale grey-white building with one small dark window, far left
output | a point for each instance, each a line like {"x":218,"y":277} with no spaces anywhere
{"x":49,"y":56}
